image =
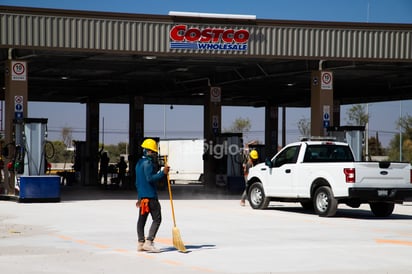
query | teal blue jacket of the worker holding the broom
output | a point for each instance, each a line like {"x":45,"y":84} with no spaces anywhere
{"x":147,"y":178}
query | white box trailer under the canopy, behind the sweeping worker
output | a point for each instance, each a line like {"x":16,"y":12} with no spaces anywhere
{"x":185,"y":158}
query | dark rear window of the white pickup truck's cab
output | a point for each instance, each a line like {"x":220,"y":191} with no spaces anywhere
{"x":328,"y":153}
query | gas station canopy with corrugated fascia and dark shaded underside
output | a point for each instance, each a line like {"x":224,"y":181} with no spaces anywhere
{"x":78,"y":56}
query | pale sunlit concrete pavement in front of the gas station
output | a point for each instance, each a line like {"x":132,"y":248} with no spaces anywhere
{"x":94,"y":231}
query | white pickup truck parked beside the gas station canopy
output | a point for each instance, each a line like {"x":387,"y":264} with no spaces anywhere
{"x":322,"y":174}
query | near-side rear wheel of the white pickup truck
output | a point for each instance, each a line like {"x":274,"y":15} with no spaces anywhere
{"x":324,"y":202}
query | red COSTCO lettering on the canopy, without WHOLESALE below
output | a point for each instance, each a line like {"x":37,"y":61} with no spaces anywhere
{"x":181,"y":33}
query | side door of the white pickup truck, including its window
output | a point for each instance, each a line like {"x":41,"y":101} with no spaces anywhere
{"x":281,"y":175}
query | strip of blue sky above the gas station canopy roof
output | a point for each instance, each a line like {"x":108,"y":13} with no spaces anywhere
{"x":322,"y":10}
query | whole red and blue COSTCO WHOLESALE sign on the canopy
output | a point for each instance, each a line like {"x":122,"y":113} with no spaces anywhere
{"x":183,"y":37}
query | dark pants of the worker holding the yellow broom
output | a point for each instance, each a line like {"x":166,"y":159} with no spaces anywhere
{"x":156,"y":213}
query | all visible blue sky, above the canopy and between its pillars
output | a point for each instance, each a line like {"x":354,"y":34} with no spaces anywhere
{"x":187,"y":121}
